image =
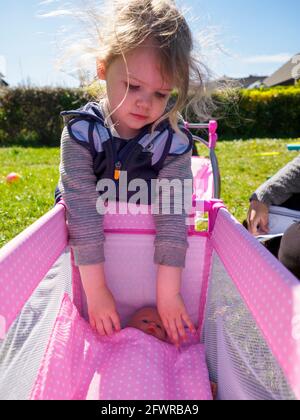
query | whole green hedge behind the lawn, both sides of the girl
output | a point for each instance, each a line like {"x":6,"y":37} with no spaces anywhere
{"x":31,"y":116}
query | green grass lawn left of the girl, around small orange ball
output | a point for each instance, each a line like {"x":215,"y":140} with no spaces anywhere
{"x":25,"y":201}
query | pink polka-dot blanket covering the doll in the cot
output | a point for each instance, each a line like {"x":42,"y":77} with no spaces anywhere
{"x":79,"y":364}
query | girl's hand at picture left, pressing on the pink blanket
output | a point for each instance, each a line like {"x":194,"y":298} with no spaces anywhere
{"x":102,"y":311}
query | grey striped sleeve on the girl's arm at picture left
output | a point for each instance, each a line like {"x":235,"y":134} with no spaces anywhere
{"x":78,"y":186}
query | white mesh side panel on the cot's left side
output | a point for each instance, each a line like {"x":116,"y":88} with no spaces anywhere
{"x":22,"y":349}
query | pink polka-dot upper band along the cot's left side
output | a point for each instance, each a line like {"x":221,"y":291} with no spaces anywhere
{"x":26,"y":260}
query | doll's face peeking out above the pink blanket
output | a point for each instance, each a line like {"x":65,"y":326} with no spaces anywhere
{"x":148,"y":321}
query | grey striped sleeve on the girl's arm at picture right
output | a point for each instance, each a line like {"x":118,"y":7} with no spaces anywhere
{"x":171,"y":237}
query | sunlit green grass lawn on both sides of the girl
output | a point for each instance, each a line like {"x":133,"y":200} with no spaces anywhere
{"x":243,"y":167}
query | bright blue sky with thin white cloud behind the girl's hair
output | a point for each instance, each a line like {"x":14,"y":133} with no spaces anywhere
{"x":255,"y":37}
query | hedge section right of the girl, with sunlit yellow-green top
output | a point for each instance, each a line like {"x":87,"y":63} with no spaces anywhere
{"x":260,"y":113}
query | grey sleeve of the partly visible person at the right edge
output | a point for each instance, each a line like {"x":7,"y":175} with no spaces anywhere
{"x":281,"y":186}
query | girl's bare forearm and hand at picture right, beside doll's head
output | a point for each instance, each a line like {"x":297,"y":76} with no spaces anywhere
{"x":170,"y":304}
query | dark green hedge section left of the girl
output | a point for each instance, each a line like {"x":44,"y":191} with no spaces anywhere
{"x":32,"y":116}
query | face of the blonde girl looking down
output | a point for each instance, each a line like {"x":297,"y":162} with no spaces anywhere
{"x":148,"y":93}
